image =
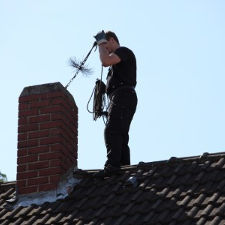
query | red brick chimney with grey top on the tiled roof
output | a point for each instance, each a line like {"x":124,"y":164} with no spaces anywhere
{"x":47,"y":137}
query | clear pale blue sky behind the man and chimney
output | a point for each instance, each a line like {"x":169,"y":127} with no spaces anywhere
{"x":180,"y":51}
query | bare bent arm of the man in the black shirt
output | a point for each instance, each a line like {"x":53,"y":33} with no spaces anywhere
{"x":106,"y":58}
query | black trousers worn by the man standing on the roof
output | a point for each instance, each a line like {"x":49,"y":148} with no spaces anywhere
{"x":122,"y":107}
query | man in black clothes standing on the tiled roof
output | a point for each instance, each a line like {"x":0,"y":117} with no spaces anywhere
{"x":120,"y":89}
